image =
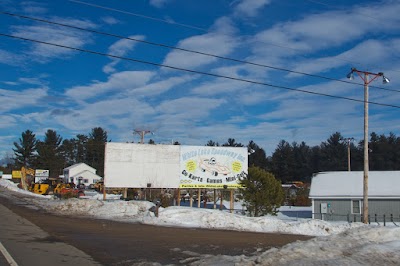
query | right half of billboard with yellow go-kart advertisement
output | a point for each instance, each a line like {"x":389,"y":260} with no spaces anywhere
{"x":212,"y":167}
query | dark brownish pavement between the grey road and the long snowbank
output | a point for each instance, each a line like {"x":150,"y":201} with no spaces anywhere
{"x":115,"y":243}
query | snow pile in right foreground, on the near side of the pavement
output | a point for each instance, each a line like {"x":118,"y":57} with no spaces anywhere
{"x":356,"y":247}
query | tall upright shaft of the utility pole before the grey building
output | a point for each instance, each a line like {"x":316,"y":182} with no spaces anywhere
{"x":366,"y":165}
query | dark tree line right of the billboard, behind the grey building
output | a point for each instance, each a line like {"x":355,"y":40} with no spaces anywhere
{"x":299,"y":161}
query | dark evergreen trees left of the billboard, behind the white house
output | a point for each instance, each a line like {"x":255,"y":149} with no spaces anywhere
{"x":55,"y":153}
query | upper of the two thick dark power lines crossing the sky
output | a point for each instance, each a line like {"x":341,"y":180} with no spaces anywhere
{"x":188,"y":50}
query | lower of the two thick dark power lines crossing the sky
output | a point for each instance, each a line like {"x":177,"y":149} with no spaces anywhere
{"x":196,"y":72}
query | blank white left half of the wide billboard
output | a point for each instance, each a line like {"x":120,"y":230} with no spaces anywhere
{"x":139,"y":165}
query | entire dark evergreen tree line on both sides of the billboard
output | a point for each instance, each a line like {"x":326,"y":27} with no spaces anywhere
{"x":288,"y":162}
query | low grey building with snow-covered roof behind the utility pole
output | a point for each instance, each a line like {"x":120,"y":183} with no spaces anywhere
{"x":338,"y":196}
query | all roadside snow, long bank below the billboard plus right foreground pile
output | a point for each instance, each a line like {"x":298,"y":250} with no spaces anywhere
{"x":337,"y":243}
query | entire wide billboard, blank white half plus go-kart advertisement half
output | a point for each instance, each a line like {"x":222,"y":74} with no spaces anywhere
{"x":131,"y":165}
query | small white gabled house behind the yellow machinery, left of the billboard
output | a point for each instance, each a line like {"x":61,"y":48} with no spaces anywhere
{"x":81,"y":173}
